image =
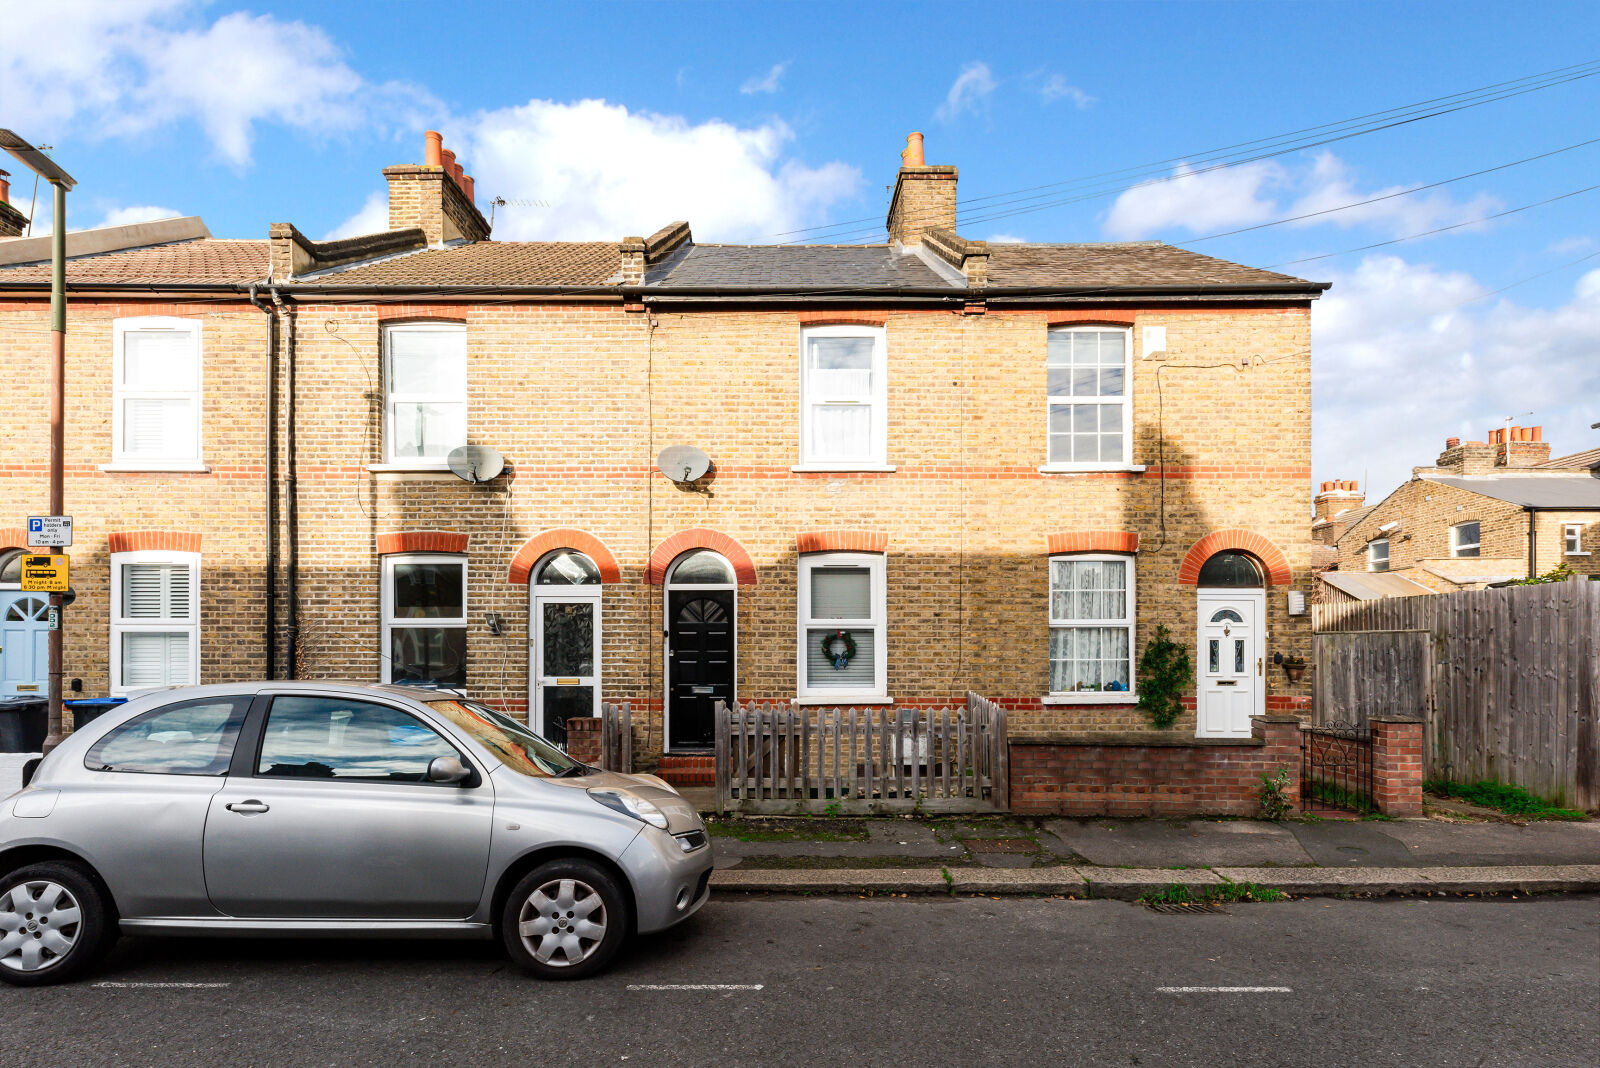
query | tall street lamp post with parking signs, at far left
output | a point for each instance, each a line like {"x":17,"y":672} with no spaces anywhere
{"x":60,"y":183}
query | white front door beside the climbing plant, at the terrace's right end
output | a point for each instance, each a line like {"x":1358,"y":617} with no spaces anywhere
{"x":1230,"y":658}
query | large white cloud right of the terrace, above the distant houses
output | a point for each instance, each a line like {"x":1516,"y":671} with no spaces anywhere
{"x":1404,"y":359}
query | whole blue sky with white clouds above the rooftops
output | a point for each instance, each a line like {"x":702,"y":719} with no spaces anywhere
{"x":754,"y":121}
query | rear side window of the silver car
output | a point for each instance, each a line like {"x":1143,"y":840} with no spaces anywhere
{"x":194,"y":738}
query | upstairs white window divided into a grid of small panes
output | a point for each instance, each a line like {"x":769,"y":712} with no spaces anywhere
{"x":1087,"y":385}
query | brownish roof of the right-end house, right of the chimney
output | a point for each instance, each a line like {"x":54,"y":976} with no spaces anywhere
{"x":1122,"y":265}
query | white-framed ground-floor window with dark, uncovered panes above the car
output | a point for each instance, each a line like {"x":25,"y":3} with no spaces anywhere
{"x":425,"y":621}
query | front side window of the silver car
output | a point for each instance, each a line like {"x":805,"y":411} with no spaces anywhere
{"x":332,"y":738}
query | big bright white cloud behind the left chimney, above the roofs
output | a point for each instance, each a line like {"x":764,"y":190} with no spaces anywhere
{"x":609,"y":172}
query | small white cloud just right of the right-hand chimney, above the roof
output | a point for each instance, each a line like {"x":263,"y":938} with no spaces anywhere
{"x":1196,"y":201}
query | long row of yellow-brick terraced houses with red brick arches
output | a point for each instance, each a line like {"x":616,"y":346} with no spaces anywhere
{"x":935,"y":466}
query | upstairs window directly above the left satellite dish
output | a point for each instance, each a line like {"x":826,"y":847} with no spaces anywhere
{"x":425,"y":393}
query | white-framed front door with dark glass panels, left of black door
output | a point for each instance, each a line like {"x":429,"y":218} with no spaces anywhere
{"x":566,"y":663}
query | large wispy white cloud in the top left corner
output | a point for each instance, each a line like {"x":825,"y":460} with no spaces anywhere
{"x":134,"y":66}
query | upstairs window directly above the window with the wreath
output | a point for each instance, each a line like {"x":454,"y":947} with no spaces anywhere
{"x":842,"y":397}
